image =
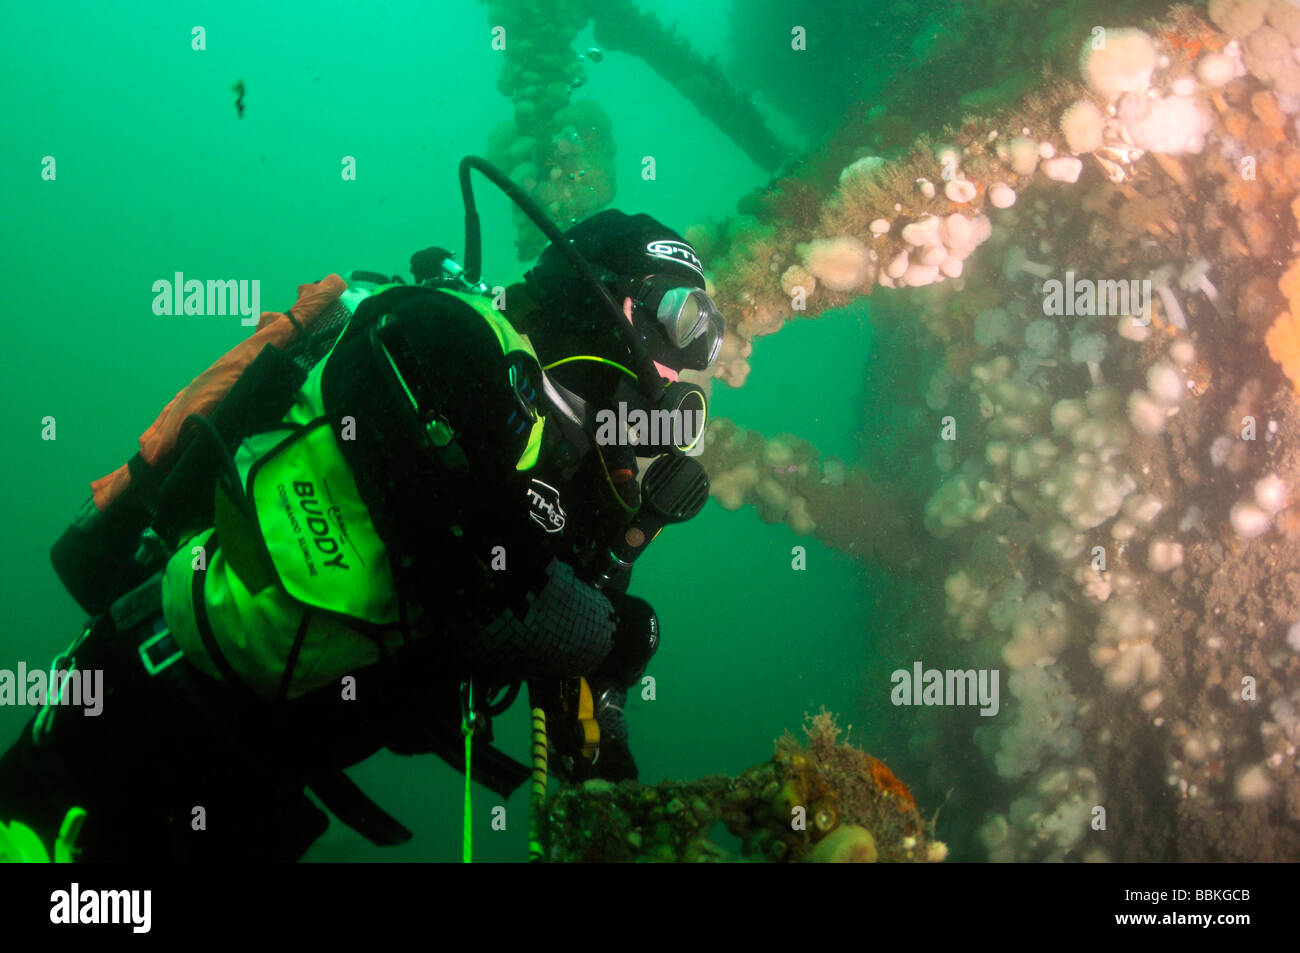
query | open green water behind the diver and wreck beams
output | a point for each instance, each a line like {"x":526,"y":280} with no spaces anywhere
{"x":157,"y":175}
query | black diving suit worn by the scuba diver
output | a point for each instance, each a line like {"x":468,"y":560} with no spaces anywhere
{"x":167,"y":743}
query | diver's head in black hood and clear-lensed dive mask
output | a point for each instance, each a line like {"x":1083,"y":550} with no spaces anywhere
{"x":652,"y":272}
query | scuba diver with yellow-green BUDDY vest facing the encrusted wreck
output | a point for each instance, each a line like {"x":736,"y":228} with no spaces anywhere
{"x":367,"y":527}
